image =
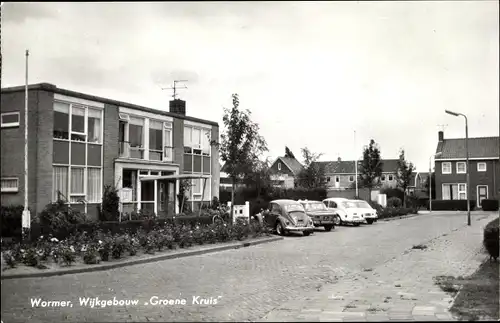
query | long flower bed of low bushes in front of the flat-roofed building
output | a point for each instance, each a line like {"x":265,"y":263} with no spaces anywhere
{"x":100,"y":246}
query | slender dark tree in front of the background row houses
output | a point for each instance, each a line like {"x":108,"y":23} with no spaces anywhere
{"x":371,"y":166}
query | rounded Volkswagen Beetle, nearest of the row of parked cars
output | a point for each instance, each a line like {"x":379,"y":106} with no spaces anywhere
{"x":286,"y":216}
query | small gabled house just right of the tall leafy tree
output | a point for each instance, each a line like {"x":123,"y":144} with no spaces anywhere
{"x":285,"y":170}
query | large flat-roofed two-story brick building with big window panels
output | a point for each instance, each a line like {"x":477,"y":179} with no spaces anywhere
{"x":79,"y":143}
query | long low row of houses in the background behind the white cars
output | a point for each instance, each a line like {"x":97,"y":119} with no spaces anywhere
{"x":341,"y":174}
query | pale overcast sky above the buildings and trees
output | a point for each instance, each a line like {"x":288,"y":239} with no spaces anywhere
{"x":311,"y":73}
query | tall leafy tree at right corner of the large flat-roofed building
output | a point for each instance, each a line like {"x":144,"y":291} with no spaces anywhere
{"x":240,"y":145}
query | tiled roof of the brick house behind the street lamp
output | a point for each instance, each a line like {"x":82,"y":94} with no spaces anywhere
{"x":478,"y":148}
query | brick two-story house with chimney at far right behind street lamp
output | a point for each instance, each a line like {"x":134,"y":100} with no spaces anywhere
{"x":451,"y":168}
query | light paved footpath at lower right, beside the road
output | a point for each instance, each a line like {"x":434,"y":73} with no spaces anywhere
{"x":401,"y":289}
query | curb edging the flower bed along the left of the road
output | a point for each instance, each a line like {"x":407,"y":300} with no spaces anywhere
{"x":102,"y":267}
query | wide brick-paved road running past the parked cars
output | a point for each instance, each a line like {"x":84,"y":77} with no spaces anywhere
{"x":248,"y":283}
